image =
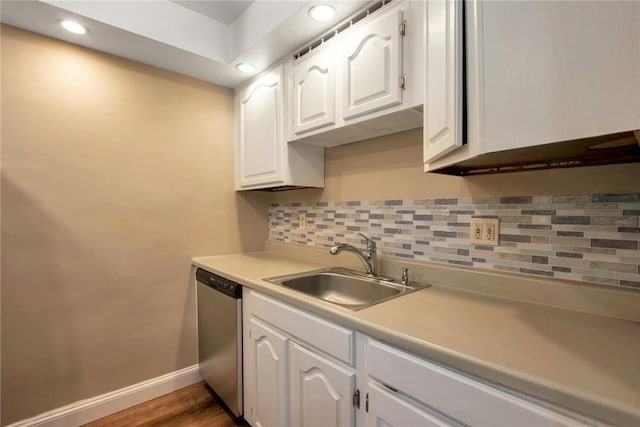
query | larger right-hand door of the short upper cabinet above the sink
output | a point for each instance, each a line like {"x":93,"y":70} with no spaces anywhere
{"x":372,"y":64}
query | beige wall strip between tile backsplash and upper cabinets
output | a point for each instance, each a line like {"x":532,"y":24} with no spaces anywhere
{"x":391,"y":168}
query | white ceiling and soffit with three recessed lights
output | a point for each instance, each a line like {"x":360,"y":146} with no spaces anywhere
{"x":201,"y":39}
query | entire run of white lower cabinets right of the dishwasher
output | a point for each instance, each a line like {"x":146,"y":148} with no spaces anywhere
{"x":303,"y":371}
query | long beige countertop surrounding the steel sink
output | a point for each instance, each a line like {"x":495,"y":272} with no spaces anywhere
{"x":585,"y":362}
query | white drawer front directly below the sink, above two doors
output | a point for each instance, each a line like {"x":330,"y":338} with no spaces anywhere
{"x":319,"y":333}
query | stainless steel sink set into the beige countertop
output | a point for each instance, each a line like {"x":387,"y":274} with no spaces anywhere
{"x":346,"y":288}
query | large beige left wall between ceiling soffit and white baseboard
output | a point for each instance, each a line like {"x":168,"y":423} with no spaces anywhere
{"x":114,"y":175}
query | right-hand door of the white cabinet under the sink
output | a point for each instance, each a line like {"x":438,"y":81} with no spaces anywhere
{"x":320,"y":391}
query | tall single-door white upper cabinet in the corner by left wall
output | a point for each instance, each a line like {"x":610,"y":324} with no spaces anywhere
{"x":263,"y":158}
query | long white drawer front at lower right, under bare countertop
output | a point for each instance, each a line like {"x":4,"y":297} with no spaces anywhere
{"x":457,"y":396}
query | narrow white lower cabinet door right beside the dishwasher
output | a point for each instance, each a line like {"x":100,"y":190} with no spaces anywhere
{"x":265,"y":376}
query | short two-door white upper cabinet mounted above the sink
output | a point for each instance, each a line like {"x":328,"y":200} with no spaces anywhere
{"x":364,"y":82}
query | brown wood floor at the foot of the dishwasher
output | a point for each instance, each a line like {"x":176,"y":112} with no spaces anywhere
{"x":190,"y":406}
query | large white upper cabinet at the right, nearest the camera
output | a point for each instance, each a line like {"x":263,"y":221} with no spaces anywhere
{"x":537,"y":73}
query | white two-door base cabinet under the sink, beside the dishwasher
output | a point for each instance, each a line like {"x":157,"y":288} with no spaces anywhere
{"x":297,"y":370}
